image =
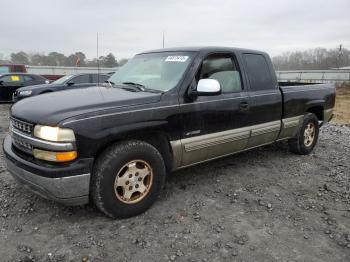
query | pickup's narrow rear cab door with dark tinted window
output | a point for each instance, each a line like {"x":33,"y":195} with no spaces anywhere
{"x":265,"y":99}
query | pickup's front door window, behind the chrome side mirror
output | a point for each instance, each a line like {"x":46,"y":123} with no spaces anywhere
{"x":222,"y":68}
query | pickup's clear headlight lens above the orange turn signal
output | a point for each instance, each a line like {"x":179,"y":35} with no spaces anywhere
{"x":56,"y":134}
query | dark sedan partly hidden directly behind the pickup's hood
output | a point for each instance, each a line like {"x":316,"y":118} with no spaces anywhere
{"x":64,"y":83}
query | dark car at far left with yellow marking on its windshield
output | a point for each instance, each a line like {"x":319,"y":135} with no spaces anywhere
{"x":10,"y":82}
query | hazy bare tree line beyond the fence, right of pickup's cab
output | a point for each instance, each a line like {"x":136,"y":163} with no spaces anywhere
{"x":313,"y":59}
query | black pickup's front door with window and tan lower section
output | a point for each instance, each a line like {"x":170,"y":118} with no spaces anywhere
{"x":213,"y":126}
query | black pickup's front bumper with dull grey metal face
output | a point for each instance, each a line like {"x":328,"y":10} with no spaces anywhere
{"x":72,"y":189}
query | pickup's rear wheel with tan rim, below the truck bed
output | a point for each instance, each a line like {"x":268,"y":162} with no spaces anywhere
{"x":305,"y":140}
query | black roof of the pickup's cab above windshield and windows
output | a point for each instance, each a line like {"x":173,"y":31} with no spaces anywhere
{"x":203,"y":49}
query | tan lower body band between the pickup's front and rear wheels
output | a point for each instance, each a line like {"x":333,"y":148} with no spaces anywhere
{"x":198,"y":149}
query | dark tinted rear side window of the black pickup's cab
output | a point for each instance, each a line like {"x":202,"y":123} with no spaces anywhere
{"x":258,"y":72}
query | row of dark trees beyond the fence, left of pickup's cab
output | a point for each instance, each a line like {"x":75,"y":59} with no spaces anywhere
{"x":59,"y":59}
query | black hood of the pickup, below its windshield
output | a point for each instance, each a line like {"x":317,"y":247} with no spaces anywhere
{"x":51,"y":108}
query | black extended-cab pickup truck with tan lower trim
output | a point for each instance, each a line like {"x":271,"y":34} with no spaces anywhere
{"x":164,"y":110}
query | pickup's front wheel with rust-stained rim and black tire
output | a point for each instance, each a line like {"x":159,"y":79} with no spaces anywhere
{"x":122,"y":169}
